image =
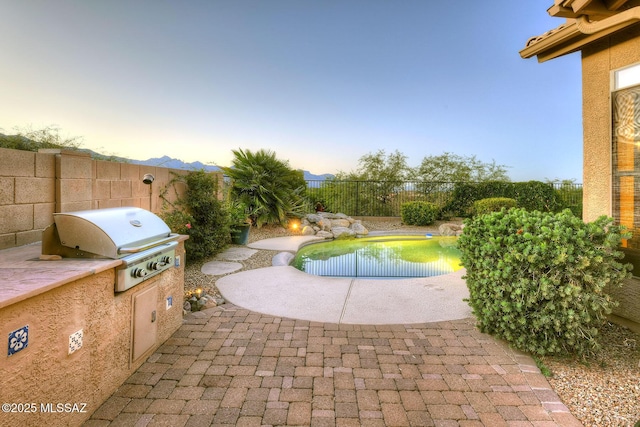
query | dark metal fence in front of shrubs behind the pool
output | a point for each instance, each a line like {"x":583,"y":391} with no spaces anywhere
{"x":385,"y":198}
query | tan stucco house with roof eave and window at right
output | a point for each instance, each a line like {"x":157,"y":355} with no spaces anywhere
{"x":607,"y":35}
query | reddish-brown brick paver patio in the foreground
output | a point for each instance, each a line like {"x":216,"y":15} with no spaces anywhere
{"x":228,"y":366}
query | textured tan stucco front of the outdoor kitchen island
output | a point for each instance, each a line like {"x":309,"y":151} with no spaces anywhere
{"x":43,"y":372}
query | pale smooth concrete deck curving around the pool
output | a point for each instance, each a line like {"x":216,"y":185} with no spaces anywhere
{"x":287,"y":292}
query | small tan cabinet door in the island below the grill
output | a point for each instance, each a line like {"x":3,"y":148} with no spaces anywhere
{"x":145,"y":324}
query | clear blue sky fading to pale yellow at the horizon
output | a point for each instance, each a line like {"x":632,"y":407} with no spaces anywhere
{"x":321,"y":83}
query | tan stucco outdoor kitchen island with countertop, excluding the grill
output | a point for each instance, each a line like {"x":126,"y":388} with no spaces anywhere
{"x":71,"y":340}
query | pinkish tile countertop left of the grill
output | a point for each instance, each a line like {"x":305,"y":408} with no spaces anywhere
{"x":24,"y":275}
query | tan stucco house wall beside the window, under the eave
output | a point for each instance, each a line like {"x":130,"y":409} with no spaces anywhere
{"x":598,"y":61}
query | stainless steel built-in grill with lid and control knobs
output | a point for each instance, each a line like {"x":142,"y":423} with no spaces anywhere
{"x":136,"y":236}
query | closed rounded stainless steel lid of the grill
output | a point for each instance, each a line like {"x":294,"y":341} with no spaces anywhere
{"x":112,"y":232}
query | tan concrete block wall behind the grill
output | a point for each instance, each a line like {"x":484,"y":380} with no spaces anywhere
{"x":35,"y":185}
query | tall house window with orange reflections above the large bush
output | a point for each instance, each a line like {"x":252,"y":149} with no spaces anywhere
{"x":626,"y":157}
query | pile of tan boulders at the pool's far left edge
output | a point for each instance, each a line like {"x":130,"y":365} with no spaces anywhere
{"x":332,"y":226}
